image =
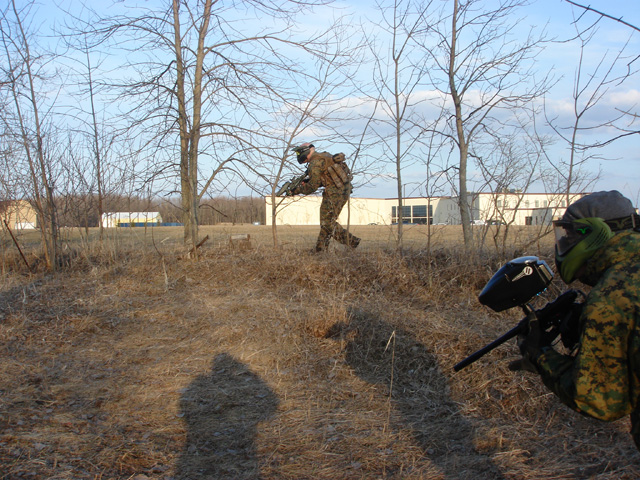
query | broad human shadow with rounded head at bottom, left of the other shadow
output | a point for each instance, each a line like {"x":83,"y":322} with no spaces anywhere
{"x":222,"y":410}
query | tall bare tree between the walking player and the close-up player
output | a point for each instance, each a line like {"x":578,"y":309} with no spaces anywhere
{"x":485,"y":73}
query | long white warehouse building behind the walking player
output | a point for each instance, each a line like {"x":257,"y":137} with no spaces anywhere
{"x":513,"y":208}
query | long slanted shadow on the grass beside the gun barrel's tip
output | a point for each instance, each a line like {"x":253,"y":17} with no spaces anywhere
{"x":381,"y":354}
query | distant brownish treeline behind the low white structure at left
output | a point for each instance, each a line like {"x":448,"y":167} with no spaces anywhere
{"x":83,"y":211}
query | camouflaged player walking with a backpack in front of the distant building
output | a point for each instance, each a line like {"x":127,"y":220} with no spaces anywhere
{"x":331,"y":172}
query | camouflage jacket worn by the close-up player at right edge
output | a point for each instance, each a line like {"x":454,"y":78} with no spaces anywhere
{"x":602,"y":380}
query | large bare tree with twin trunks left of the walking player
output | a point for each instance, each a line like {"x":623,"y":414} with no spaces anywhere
{"x":199,"y":84}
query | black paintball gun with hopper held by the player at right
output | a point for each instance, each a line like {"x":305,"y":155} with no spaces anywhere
{"x":515,"y":284}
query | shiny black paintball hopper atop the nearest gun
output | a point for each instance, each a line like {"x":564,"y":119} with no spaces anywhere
{"x":517,"y":282}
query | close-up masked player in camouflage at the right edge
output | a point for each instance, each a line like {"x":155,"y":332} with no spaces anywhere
{"x":598,"y":243}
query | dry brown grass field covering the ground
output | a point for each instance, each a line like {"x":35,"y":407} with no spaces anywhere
{"x":132,"y":362}
